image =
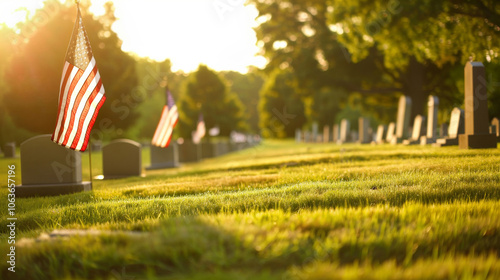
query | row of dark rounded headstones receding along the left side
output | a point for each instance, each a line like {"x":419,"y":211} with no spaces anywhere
{"x":49,"y":169}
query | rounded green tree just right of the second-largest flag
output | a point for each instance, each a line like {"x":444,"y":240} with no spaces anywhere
{"x":206,"y":92}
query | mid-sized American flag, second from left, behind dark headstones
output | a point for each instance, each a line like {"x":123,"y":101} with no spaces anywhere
{"x":168,"y":120}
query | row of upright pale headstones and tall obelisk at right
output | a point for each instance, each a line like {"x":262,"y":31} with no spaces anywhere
{"x":468,"y":129}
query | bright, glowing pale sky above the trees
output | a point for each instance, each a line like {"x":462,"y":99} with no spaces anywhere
{"x":217,"y":33}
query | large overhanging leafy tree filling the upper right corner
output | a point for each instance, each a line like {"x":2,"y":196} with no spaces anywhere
{"x":377,"y":48}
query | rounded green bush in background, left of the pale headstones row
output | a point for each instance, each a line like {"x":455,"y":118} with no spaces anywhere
{"x":281,"y":108}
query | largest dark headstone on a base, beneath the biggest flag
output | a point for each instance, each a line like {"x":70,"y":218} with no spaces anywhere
{"x":48,"y":169}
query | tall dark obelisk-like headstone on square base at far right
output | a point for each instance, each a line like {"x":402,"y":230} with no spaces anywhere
{"x":477,"y":134}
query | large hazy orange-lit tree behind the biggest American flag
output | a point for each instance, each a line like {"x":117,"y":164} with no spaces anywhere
{"x":34,"y":71}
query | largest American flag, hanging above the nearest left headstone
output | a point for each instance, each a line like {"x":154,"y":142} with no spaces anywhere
{"x":81,"y":93}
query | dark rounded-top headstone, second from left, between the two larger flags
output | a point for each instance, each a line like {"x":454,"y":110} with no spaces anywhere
{"x":121,"y":158}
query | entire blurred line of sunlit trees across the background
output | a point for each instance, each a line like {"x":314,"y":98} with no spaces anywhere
{"x":327,"y":60}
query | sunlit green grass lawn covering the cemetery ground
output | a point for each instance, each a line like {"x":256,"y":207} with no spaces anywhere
{"x":280,"y":210}
